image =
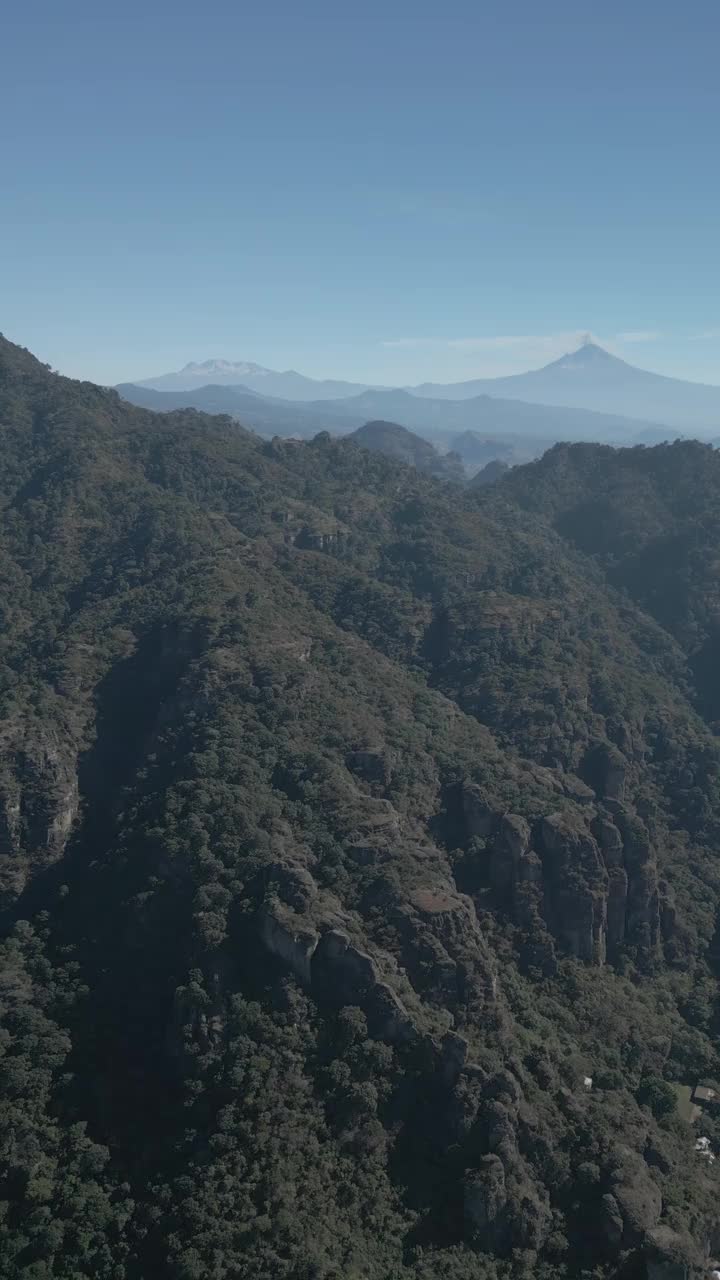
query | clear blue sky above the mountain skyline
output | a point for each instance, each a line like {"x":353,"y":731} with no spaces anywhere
{"x":388,"y":191}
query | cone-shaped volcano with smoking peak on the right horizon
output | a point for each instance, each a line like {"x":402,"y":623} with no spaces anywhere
{"x":593,"y":380}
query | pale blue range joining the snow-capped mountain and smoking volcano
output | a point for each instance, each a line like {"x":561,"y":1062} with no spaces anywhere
{"x":590,"y":380}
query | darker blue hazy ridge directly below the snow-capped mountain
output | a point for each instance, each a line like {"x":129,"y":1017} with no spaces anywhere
{"x":265,"y":417}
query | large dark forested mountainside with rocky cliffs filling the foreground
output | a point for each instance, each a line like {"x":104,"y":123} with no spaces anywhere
{"x":361,"y":860}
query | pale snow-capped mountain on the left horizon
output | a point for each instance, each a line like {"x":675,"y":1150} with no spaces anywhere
{"x":249,"y":377}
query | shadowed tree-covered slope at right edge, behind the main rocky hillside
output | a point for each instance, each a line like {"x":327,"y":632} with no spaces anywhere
{"x":651,"y":518}
